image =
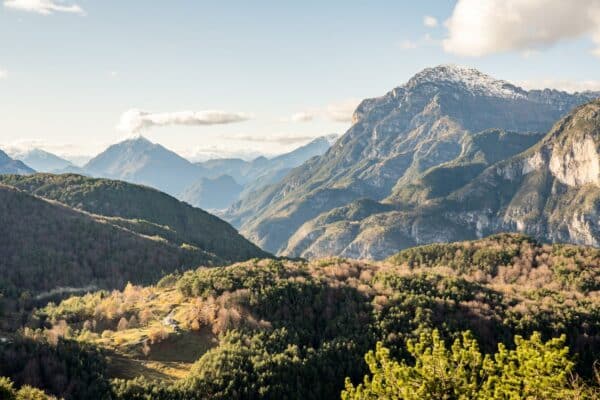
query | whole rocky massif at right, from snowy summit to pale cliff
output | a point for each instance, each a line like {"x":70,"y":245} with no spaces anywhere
{"x":437,"y":140}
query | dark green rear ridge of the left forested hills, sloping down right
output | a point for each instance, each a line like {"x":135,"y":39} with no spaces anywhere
{"x":153,"y":213}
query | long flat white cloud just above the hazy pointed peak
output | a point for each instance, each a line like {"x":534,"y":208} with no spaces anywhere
{"x":133,"y":121}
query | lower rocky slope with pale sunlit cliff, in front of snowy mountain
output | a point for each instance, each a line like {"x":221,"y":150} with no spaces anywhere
{"x":550,"y":191}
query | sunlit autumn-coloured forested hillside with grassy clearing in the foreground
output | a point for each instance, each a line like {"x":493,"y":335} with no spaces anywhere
{"x":293,"y":329}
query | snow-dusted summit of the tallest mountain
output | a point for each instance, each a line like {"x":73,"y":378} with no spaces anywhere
{"x":472,"y":80}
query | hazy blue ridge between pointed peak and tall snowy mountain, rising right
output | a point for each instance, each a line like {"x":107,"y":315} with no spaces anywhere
{"x":228,"y":180}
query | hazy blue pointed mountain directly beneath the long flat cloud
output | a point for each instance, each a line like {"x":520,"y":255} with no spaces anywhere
{"x":140,"y":161}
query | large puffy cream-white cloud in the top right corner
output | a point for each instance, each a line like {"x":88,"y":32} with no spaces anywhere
{"x":480,"y":27}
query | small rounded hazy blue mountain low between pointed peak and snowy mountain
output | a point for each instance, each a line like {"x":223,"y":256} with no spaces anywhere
{"x":212,"y":193}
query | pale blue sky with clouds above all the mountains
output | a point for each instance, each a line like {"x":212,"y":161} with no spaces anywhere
{"x":240,"y":78}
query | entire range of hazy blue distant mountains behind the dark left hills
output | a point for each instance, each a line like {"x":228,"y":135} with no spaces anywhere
{"x":214,"y":184}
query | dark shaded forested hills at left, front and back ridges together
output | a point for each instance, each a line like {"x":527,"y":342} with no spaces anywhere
{"x":69,"y":231}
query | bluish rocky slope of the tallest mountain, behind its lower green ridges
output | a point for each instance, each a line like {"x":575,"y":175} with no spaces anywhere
{"x":393,"y":138}
